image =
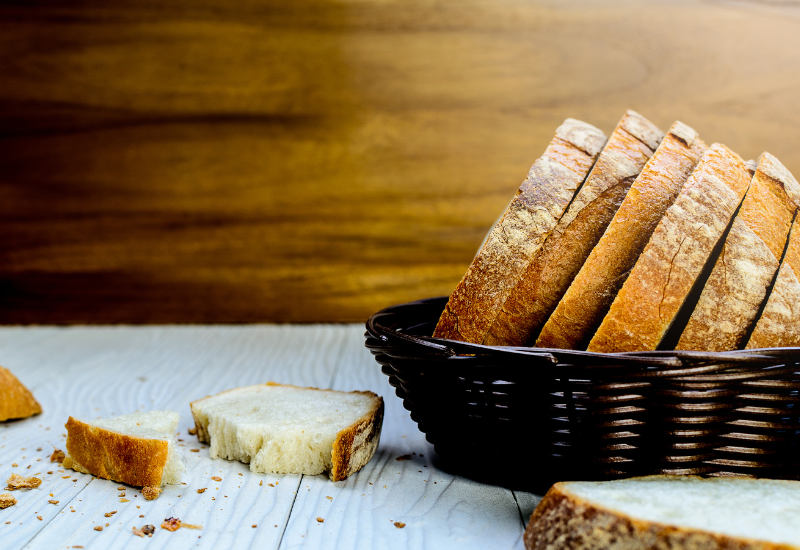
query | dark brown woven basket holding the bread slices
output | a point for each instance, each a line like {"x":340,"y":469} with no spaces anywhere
{"x":527,"y":417}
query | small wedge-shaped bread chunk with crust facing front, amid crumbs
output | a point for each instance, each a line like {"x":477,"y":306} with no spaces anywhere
{"x":138,"y":449}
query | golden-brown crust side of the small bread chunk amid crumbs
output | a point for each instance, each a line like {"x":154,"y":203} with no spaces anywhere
{"x":124,"y":458}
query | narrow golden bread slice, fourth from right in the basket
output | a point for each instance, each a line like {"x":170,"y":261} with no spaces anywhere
{"x":591,"y":293}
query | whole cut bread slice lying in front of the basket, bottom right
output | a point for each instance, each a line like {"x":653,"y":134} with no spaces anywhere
{"x":679,"y":513}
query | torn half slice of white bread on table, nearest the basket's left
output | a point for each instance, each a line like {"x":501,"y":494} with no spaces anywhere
{"x":291,"y":430}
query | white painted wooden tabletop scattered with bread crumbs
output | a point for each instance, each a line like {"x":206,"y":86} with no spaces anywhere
{"x":95,"y":372}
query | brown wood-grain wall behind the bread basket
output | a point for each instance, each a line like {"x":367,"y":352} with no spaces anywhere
{"x":216,"y":161}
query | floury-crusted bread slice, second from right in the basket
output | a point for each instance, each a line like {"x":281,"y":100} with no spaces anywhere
{"x":745,"y":269}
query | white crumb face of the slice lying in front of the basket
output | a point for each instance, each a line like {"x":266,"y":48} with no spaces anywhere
{"x":761,"y":509}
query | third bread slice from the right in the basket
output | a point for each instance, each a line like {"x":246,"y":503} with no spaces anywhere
{"x":672,"y":261}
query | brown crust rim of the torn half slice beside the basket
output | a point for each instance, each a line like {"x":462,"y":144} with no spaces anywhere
{"x":354,"y":445}
